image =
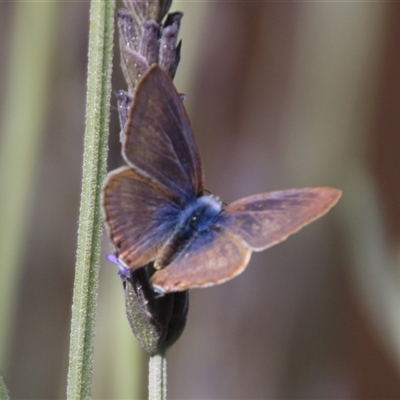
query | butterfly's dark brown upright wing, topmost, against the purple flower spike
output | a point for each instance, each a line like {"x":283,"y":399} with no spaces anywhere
{"x":159,"y":143}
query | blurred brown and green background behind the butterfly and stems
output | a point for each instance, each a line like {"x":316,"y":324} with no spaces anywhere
{"x":280,"y":95}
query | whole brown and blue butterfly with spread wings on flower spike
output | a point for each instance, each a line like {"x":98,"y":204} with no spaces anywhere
{"x":156,"y":210}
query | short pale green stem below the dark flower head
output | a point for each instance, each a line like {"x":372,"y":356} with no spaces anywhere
{"x":158,"y":377}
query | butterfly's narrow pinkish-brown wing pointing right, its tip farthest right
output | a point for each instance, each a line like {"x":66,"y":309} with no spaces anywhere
{"x":266,"y":219}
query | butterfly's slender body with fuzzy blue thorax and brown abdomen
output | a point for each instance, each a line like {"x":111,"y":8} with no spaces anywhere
{"x":196,"y":217}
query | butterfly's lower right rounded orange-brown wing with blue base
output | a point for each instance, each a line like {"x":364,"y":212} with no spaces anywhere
{"x":212,"y":257}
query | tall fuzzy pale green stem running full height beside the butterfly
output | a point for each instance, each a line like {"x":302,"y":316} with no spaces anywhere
{"x":89,"y":231}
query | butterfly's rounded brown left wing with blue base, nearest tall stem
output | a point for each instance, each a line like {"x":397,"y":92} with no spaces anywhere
{"x":139,"y":216}
